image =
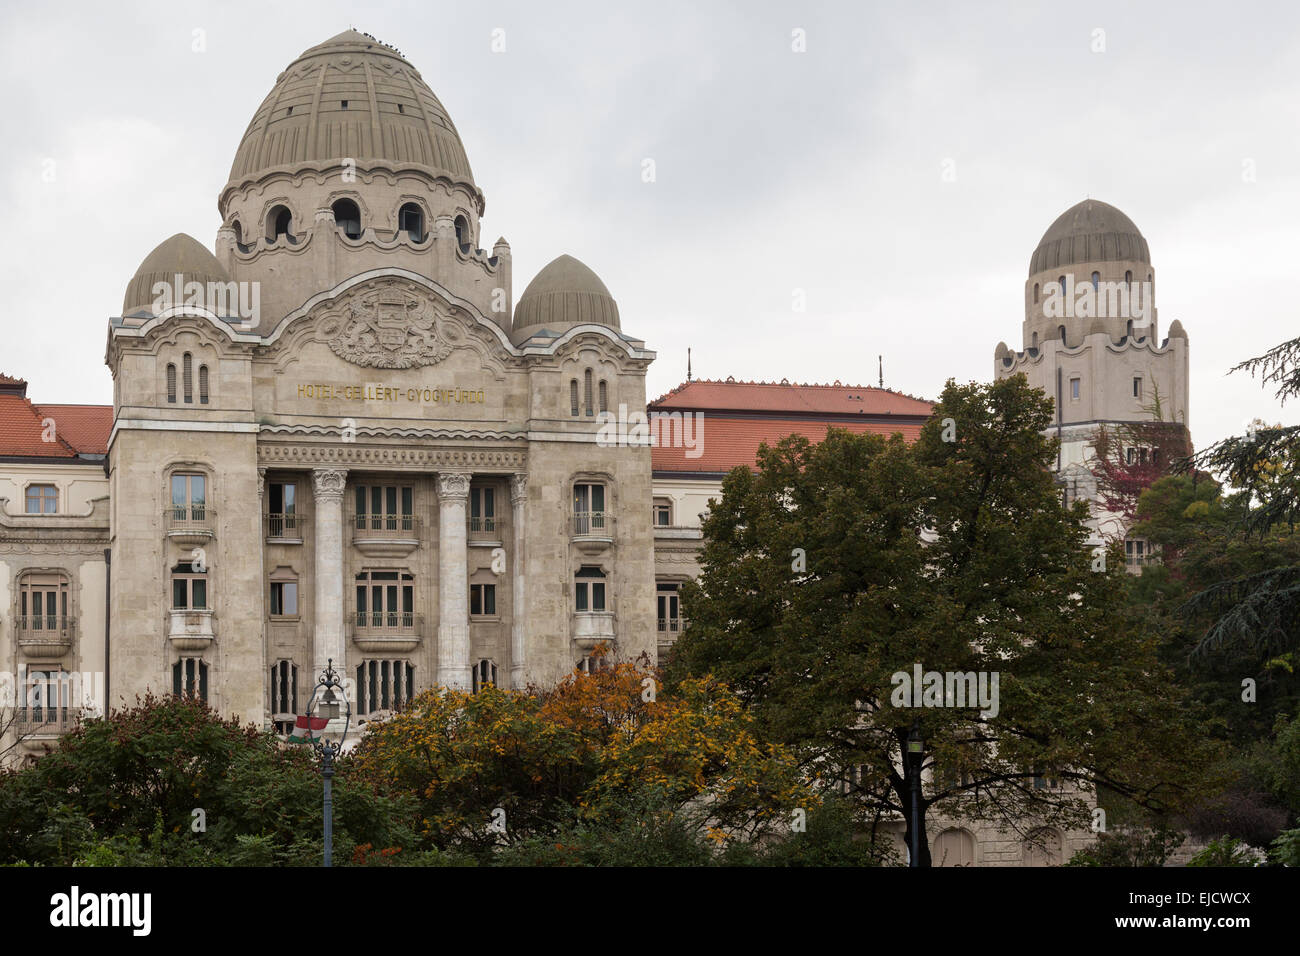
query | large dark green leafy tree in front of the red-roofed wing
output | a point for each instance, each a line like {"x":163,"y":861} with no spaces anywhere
{"x":842,"y":565}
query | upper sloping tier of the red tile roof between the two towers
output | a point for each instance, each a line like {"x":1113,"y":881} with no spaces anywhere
{"x":785,"y":397}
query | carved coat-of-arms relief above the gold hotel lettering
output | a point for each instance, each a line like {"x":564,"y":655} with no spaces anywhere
{"x":393,"y":326}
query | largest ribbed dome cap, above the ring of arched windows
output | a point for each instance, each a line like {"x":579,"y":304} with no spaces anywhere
{"x":350,"y":97}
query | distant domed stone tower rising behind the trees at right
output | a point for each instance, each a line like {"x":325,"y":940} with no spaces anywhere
{"x":1091,"y":338}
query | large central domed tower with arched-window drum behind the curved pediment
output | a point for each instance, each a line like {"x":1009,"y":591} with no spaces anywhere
{"x":353,"y":165}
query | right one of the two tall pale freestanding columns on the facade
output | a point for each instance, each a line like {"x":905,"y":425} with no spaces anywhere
{"x":454,"y":665}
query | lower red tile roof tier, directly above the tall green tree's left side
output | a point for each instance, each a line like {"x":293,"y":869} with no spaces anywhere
{"x":726,"y":443}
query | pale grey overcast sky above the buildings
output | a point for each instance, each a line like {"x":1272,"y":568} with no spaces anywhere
{"x":775,"y":171}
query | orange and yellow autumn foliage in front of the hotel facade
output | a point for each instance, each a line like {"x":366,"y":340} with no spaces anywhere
{"x":502,"y":767}
